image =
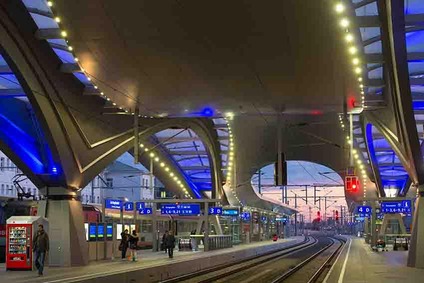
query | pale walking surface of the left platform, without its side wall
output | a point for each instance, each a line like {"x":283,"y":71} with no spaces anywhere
{"x":147,"y":259}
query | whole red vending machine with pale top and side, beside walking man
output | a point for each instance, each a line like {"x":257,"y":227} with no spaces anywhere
{"x":19,"y":233}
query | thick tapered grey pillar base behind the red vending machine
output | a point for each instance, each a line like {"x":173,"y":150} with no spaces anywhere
{"x":68,"y":246}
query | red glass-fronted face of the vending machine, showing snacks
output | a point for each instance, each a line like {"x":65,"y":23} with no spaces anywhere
{"x":19,"y":246}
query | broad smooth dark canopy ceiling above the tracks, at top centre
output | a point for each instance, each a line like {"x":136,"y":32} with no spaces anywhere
{"x":178,"y":58}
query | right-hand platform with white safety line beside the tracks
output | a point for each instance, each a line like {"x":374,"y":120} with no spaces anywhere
{"x":358,"y":263}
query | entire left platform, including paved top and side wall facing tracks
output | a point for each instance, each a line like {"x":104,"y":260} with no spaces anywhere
{"x":151,"y":267}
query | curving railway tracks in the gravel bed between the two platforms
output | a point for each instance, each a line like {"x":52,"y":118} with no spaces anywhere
{"x":315,"y":254}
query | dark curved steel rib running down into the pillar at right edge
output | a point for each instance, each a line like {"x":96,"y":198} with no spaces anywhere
{"x":396,"y":74}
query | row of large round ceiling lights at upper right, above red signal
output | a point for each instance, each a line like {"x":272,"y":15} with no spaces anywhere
{"x":353,"y":50}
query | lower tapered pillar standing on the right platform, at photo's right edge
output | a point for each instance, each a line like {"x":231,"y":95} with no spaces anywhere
{"x":416,"y":251}
